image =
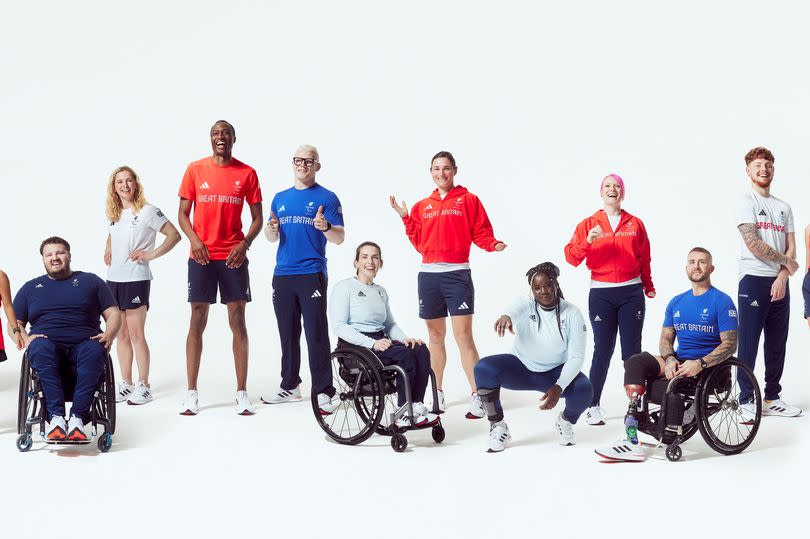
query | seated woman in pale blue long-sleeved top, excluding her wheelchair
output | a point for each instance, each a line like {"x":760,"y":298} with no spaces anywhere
{"x":360,"y":315}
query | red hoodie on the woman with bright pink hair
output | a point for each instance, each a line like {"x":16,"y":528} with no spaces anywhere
{"x":616,"y":257}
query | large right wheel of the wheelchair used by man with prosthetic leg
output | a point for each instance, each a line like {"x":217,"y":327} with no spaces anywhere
{"x":720,"y":413}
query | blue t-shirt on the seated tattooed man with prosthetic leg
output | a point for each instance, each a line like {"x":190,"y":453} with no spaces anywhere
{"x":698,"y":321}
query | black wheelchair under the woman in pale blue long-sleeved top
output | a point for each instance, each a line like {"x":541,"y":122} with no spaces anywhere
{"x":365,"y":401}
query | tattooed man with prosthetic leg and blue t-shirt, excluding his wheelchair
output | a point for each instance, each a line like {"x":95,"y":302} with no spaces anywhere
{"x":704,"y":322}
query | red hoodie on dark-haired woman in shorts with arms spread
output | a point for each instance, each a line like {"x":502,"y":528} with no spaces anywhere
{"x":442,"y":230}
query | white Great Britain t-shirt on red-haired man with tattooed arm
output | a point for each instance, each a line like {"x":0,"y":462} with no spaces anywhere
{"x":774,"y":220}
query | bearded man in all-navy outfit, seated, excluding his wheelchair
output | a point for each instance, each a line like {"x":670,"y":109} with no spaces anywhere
{"x":63,"y":308}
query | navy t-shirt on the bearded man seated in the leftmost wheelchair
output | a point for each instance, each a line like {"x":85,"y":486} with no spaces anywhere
{"x":68,"y":311}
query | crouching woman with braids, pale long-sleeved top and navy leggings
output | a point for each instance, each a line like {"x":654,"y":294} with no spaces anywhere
{"x":547,"y":355}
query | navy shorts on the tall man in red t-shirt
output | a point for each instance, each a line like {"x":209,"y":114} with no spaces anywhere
{"x":204,"y":280}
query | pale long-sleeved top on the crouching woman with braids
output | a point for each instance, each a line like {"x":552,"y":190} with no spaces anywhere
{"x":538,"y":343}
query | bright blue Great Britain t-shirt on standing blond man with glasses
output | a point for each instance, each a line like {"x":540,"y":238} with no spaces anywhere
{"x":302,"y":247}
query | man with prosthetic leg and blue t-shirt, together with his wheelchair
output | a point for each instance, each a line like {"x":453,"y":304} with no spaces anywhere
{"x":704,"y":322}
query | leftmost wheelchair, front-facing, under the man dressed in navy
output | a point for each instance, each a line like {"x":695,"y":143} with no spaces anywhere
{"x":31,"y":406}
